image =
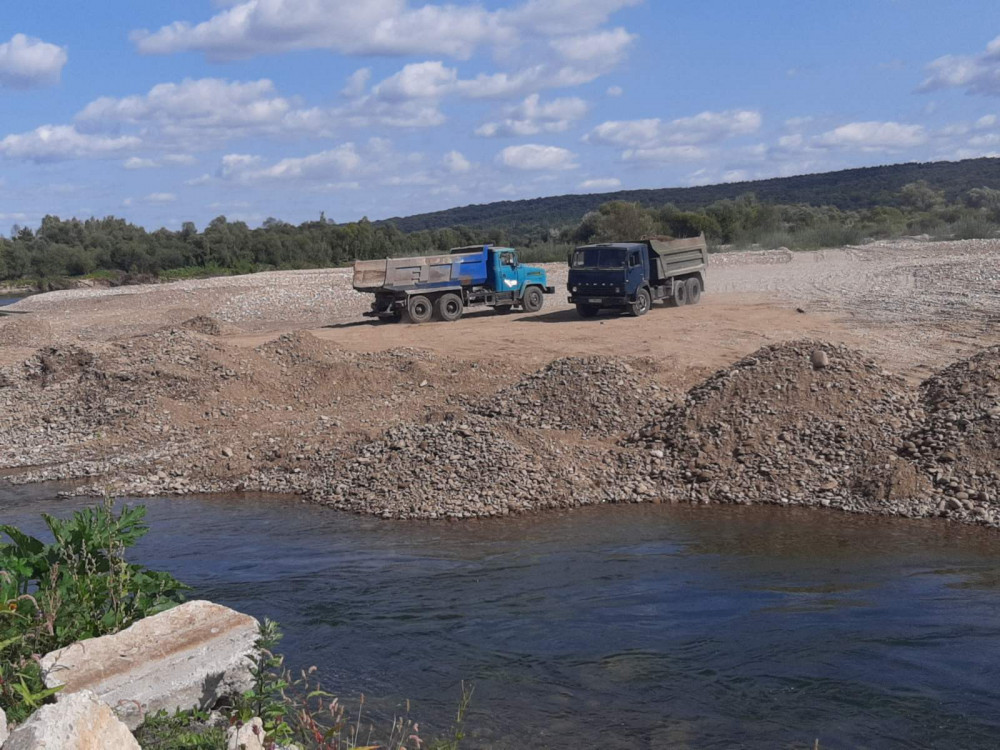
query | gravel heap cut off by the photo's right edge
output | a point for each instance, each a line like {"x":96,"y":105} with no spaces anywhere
{"x":958,"y":444}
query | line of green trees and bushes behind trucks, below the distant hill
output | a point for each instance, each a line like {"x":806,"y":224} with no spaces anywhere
{"x":113,"y":247}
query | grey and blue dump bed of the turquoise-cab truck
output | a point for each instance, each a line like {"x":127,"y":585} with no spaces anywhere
{"x":431,"y":271}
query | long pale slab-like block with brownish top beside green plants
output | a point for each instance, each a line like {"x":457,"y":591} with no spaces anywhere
{"x":187,"y":657}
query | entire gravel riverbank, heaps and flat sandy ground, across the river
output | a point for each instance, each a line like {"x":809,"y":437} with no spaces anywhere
{"x":405,"y":421}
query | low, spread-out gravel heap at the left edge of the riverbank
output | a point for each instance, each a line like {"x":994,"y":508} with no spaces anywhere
{"x":91,"y":409}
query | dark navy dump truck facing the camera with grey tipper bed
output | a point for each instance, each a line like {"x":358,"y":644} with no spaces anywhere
{"x":629,"y":276}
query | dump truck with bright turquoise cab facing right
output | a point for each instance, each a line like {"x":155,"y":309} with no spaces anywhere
{"x":443,"y":286}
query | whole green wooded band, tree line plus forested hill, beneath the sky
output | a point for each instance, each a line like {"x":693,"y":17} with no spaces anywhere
{"x":962,"y":202}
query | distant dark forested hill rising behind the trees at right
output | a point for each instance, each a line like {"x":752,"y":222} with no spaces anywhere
{"x":846,"y":189}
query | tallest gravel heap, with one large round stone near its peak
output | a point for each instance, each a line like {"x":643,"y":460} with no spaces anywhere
{"x":805,"y":422}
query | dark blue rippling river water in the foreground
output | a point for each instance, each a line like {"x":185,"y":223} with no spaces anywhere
{"x":628,"y":627}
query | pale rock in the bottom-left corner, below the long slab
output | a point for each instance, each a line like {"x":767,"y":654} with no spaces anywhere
{"x":77,"y":722}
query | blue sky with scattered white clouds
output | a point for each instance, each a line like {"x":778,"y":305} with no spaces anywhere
{"x":166,"y":112}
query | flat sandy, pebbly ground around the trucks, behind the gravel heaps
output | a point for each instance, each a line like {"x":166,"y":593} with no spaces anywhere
{"x":913,"y":305}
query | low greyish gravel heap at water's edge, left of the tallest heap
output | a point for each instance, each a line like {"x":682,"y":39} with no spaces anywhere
{"x":464,"y":467}
